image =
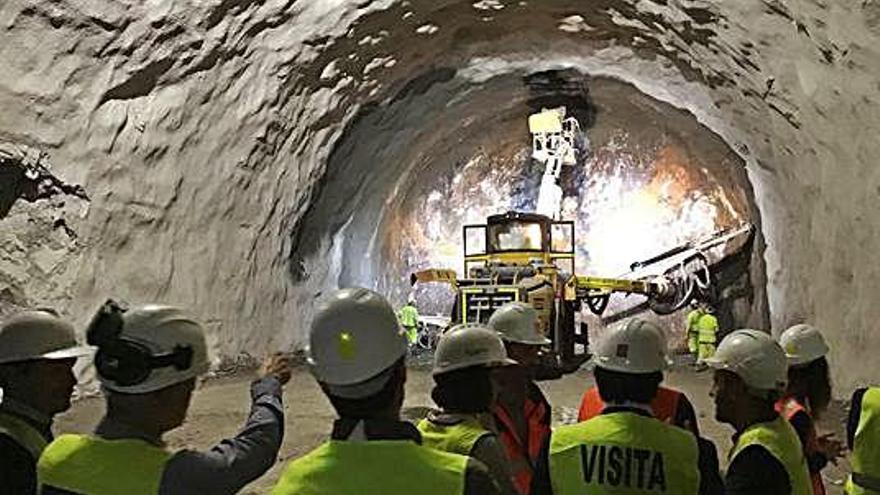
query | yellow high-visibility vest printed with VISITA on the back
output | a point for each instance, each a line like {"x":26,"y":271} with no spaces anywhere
{"x":623,"y":453}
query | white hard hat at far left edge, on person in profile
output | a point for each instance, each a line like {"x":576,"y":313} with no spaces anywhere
{"x":38,"y":335}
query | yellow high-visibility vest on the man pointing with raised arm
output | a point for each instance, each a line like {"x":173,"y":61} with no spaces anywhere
{"x":94,"y":466}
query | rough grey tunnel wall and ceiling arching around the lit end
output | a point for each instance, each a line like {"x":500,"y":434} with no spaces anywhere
{"x":204,"y":132}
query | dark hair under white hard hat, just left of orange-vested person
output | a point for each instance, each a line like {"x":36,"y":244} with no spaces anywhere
{"x":467,"y":391}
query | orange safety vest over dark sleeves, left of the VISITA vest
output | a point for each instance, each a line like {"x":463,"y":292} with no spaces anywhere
{"x":525,"y":455}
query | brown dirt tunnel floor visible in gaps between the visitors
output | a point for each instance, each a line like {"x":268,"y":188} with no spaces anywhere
{"x":220,"y":406}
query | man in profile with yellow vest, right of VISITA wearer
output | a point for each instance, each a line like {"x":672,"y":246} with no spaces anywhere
{"x":750,"y":376}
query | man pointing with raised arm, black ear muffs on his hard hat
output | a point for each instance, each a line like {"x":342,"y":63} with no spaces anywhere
{"x":148,"y":360}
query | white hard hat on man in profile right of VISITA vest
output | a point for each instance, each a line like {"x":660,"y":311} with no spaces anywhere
{"x":753,"y":356}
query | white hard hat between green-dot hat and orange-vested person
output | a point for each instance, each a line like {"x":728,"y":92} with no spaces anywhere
{"x":468,"y":345}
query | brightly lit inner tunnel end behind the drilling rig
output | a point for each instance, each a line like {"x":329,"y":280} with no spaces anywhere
{"x":406,"y":176}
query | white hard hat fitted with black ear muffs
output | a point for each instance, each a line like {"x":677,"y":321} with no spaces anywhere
{"x":156,"y":347}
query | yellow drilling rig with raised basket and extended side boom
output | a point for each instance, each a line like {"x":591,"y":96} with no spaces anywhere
{"x":530,"y":257}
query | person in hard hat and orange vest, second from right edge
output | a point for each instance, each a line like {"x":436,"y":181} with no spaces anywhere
{"x":807,"y":397}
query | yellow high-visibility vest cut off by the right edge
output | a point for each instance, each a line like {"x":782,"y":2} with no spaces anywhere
{"x":865,"y":458}
